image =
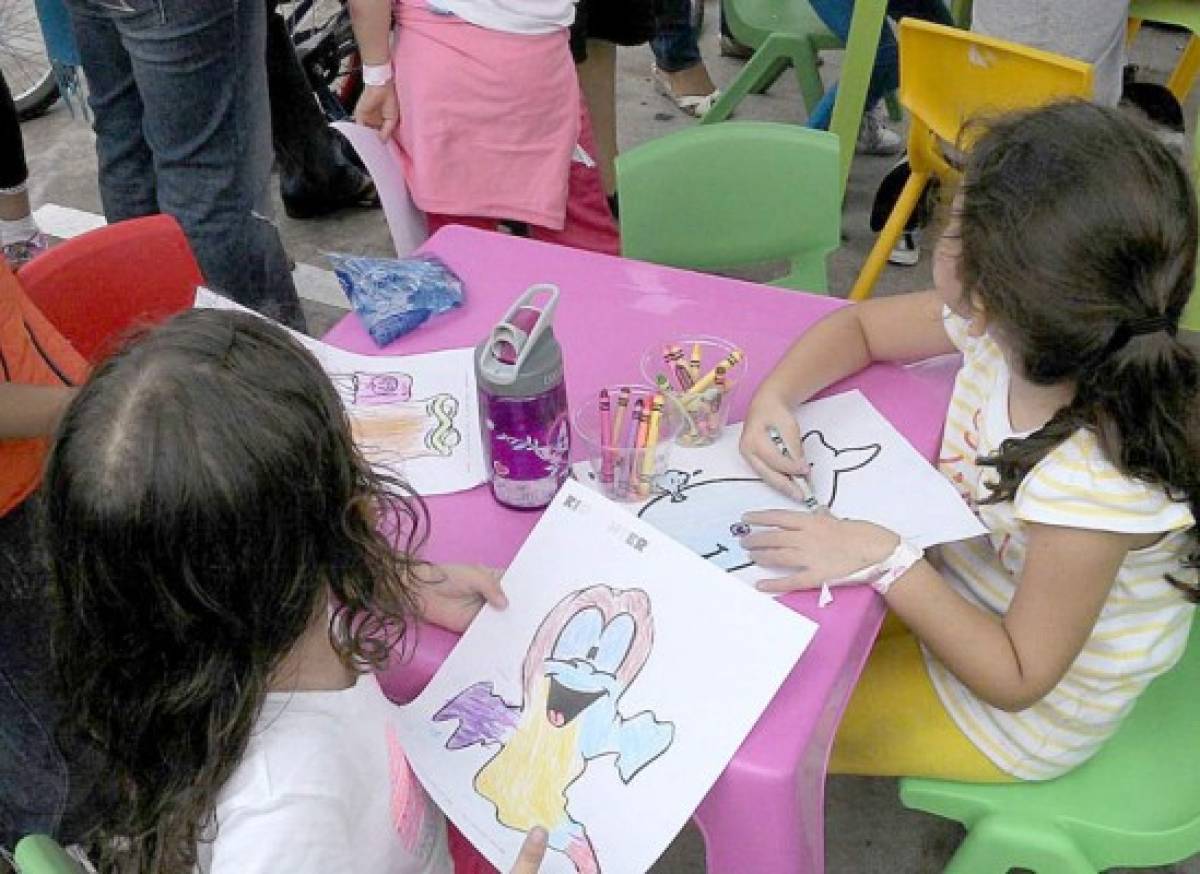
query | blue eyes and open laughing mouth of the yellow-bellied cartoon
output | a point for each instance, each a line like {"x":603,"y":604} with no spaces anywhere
{"x":583,"y":667}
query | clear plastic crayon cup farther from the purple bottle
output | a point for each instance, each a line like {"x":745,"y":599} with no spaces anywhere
{"x":701,"y":374}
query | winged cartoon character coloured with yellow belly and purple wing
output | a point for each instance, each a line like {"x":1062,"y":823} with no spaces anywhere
{"x":585,"y":655}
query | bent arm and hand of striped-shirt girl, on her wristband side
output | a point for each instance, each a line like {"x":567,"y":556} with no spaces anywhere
{"x":1010,"y":662}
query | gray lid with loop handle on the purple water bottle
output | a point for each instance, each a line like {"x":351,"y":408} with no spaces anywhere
{"x":521,"y":356}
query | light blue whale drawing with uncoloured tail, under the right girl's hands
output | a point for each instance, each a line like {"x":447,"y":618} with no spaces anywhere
{"x":706,"y":516}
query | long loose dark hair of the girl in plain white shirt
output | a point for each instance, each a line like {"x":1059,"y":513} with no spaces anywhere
{"x":205,"y":502}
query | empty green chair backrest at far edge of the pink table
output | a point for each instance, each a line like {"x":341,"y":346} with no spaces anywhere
{"x":731,"y":195}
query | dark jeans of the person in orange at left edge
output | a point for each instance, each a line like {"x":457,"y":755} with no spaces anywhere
{"x":49,"y":785}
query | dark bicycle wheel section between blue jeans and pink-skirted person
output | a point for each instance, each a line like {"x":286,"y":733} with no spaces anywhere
{"x":325,"y":41}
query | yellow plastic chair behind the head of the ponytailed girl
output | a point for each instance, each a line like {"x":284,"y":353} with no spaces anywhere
{"x":947,"y":79}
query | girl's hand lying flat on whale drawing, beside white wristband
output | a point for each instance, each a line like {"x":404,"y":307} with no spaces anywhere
{"x":817,"y":548}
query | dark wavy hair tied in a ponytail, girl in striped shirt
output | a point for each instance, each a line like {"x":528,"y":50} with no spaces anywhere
{"x":1079,"y":243}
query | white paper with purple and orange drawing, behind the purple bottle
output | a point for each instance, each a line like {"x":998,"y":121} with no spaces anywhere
{"x":415,"y":416}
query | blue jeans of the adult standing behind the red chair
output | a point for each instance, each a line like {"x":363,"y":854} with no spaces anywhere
{"x":183,"y":127}
